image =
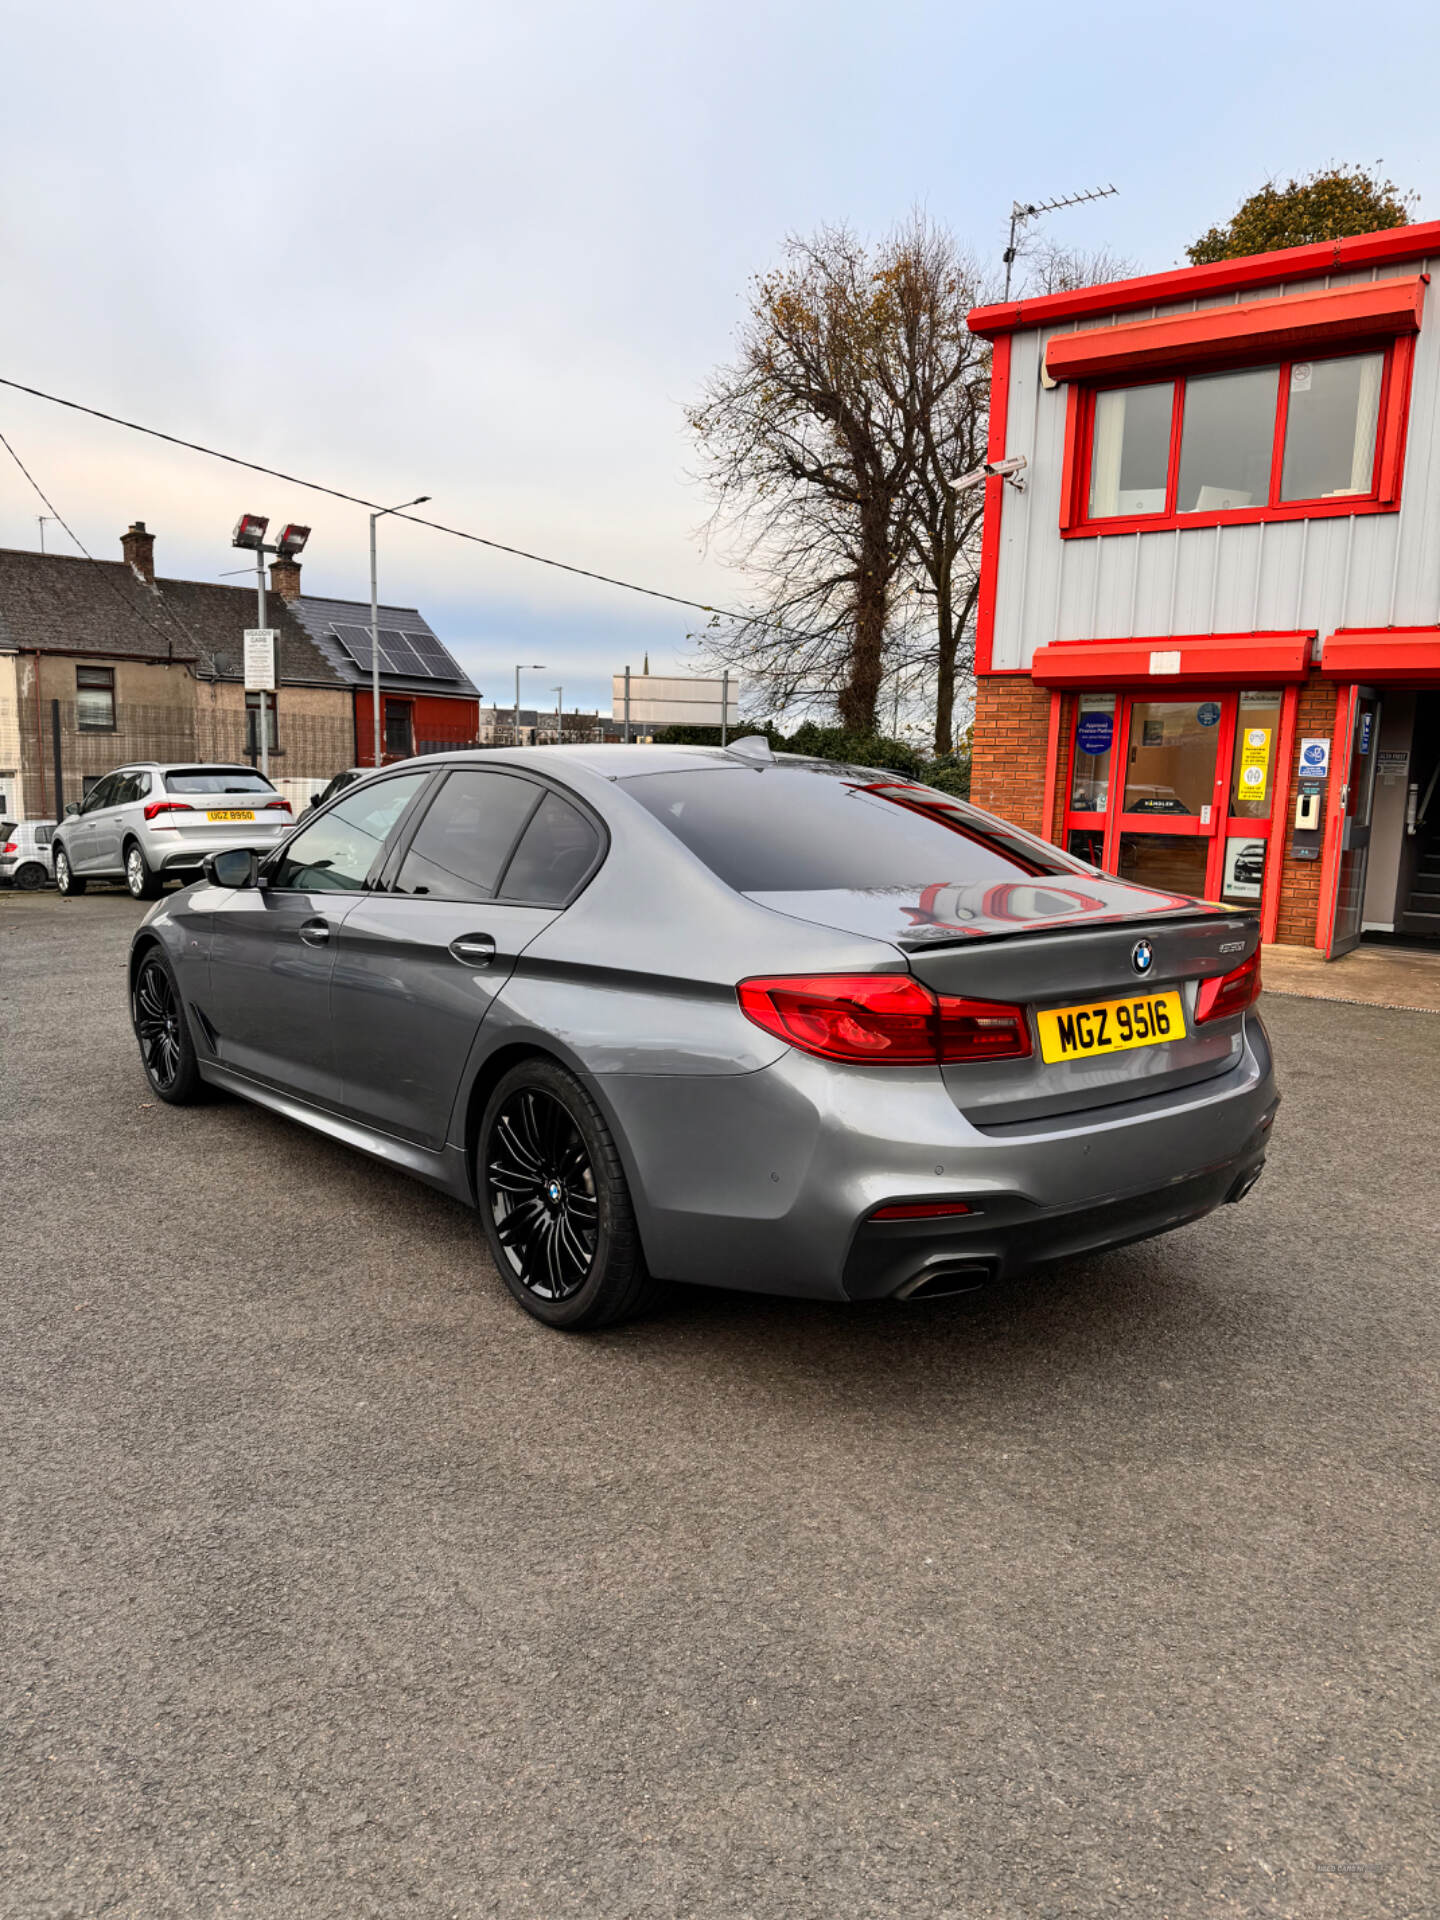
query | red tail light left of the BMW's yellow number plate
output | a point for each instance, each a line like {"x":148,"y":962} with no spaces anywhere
{"x":882,"y":1020}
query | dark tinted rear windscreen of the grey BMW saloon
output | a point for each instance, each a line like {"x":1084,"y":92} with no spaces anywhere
{"x":805,"y":828}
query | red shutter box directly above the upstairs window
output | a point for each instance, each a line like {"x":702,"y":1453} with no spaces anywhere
{"x":1374,"y":310}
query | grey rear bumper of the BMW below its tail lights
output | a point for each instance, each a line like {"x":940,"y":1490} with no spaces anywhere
{"x":767,"y":1180}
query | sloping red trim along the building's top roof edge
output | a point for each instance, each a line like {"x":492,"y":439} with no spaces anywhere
{"x":1222,"y":277}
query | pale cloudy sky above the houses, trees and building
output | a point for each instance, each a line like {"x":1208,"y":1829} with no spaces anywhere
{"x":491,"y":252}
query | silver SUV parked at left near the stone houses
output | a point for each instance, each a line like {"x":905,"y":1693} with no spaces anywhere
{"x":153,"y":823}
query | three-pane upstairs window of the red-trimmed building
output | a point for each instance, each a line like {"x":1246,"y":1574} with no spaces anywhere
{"x":1249,"y":443}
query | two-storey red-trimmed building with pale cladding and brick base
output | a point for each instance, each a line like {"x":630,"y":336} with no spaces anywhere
{"x":1209,"y":648}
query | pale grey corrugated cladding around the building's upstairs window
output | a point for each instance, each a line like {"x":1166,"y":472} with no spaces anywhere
{"x":1376,"y":569}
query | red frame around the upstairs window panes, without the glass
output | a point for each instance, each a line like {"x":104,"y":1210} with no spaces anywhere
{"x":1389,"y":446}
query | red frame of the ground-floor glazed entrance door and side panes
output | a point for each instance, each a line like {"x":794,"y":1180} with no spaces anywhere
{"x":1222,"y":825}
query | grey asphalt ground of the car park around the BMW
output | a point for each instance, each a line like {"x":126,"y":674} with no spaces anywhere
{"x":335,"y":1587}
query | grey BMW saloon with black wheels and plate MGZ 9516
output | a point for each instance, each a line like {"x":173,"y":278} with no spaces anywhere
{"x":706,"y":1015}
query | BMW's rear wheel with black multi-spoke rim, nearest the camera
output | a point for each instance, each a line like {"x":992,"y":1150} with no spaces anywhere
{"x":556,"y":1203}
